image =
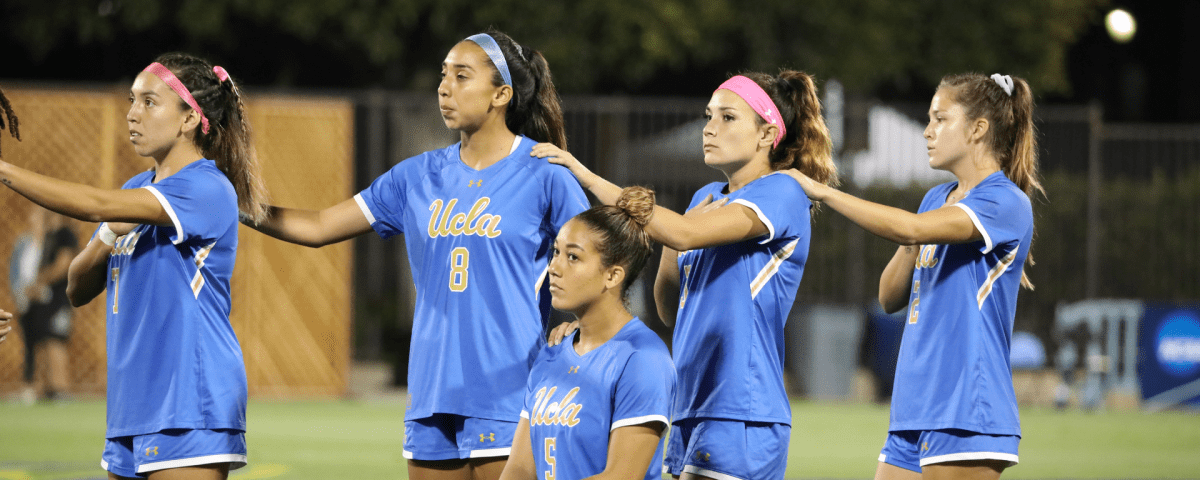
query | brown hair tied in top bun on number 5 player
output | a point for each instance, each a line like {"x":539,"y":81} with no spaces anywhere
{"x":622,"y":229}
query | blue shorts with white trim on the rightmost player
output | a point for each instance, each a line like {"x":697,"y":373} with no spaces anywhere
{"x":914,"y":449}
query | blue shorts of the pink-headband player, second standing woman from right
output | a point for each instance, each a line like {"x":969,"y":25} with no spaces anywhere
{"x":728,"y":449}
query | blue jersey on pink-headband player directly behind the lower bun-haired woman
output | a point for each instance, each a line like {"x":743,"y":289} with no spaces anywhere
{"x":734,"y":303}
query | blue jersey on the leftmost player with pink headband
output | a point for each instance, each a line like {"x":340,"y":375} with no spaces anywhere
{"x":173,"y":359}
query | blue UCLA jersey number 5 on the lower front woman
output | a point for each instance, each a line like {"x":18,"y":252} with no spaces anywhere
{"x":574,"y":403}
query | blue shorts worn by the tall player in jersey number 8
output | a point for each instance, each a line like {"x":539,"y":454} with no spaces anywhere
{"x":448,"y":437}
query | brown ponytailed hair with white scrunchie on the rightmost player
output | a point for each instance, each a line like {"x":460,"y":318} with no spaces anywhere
{"x":1009,"y":109}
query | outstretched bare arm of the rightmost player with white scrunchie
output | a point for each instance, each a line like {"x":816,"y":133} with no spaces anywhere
{"x":947,"y":225}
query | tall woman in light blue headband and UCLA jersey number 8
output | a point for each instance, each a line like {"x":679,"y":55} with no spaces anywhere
{"x":479,"y":219}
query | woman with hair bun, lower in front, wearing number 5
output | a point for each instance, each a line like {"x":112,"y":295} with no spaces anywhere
{"x":598,"y":405}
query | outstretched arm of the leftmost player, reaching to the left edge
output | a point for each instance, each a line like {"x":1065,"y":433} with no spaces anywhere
{"x":85,"y":202}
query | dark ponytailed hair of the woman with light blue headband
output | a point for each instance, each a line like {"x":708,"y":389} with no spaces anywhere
{"x":536,"y":110}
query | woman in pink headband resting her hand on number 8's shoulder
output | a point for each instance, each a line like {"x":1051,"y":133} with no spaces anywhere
{"x":730,"y":272}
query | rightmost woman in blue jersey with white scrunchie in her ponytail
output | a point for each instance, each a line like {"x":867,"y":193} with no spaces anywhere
{"x":959,"y":271}
